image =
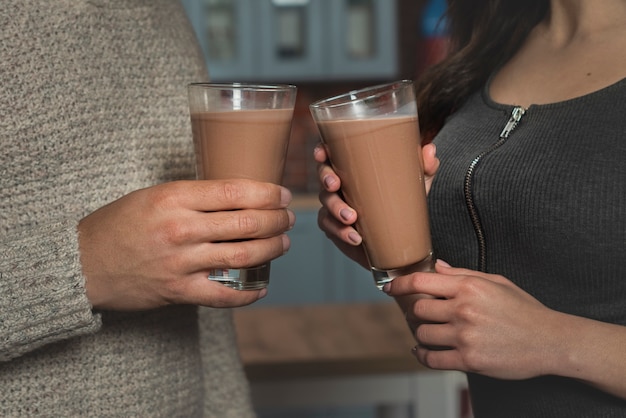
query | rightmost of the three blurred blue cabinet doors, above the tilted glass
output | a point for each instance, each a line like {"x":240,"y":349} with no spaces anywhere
{"x":364,"y":39}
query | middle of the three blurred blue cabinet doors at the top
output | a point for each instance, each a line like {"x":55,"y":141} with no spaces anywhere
{"x":292,"y":44}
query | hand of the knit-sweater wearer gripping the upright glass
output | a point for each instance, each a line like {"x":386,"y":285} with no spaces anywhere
{"x":154,"y":246}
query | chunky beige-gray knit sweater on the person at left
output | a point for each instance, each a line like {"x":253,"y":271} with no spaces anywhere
{"x":93,"y":106}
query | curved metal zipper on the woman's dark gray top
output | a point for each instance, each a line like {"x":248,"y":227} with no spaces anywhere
{"x":515,"y":118}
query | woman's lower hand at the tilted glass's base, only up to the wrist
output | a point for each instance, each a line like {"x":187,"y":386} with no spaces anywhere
{"x":479,"y":323}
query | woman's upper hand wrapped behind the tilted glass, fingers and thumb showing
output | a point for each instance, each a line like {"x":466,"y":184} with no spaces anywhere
{"x":336,"y":218}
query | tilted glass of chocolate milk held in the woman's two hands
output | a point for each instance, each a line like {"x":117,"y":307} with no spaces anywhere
{"x":373,"y":142}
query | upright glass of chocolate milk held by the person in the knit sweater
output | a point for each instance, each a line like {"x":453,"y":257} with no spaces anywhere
{"x":241,"y":131}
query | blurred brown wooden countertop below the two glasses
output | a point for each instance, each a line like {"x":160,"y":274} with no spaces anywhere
{"x":324,"y":340}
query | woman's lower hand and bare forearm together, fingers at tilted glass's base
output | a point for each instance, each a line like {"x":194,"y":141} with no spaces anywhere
{"x":483,"y":323}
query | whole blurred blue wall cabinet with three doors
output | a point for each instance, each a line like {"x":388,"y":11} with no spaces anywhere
{"x":296,"y":40}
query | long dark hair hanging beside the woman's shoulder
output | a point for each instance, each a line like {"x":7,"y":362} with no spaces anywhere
{"x":484,"y":34}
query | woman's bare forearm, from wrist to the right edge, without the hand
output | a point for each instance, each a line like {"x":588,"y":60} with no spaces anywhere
{"x":591,"y":351}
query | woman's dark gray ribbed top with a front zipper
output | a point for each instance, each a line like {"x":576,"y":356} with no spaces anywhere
{"x":546,"y":208}
